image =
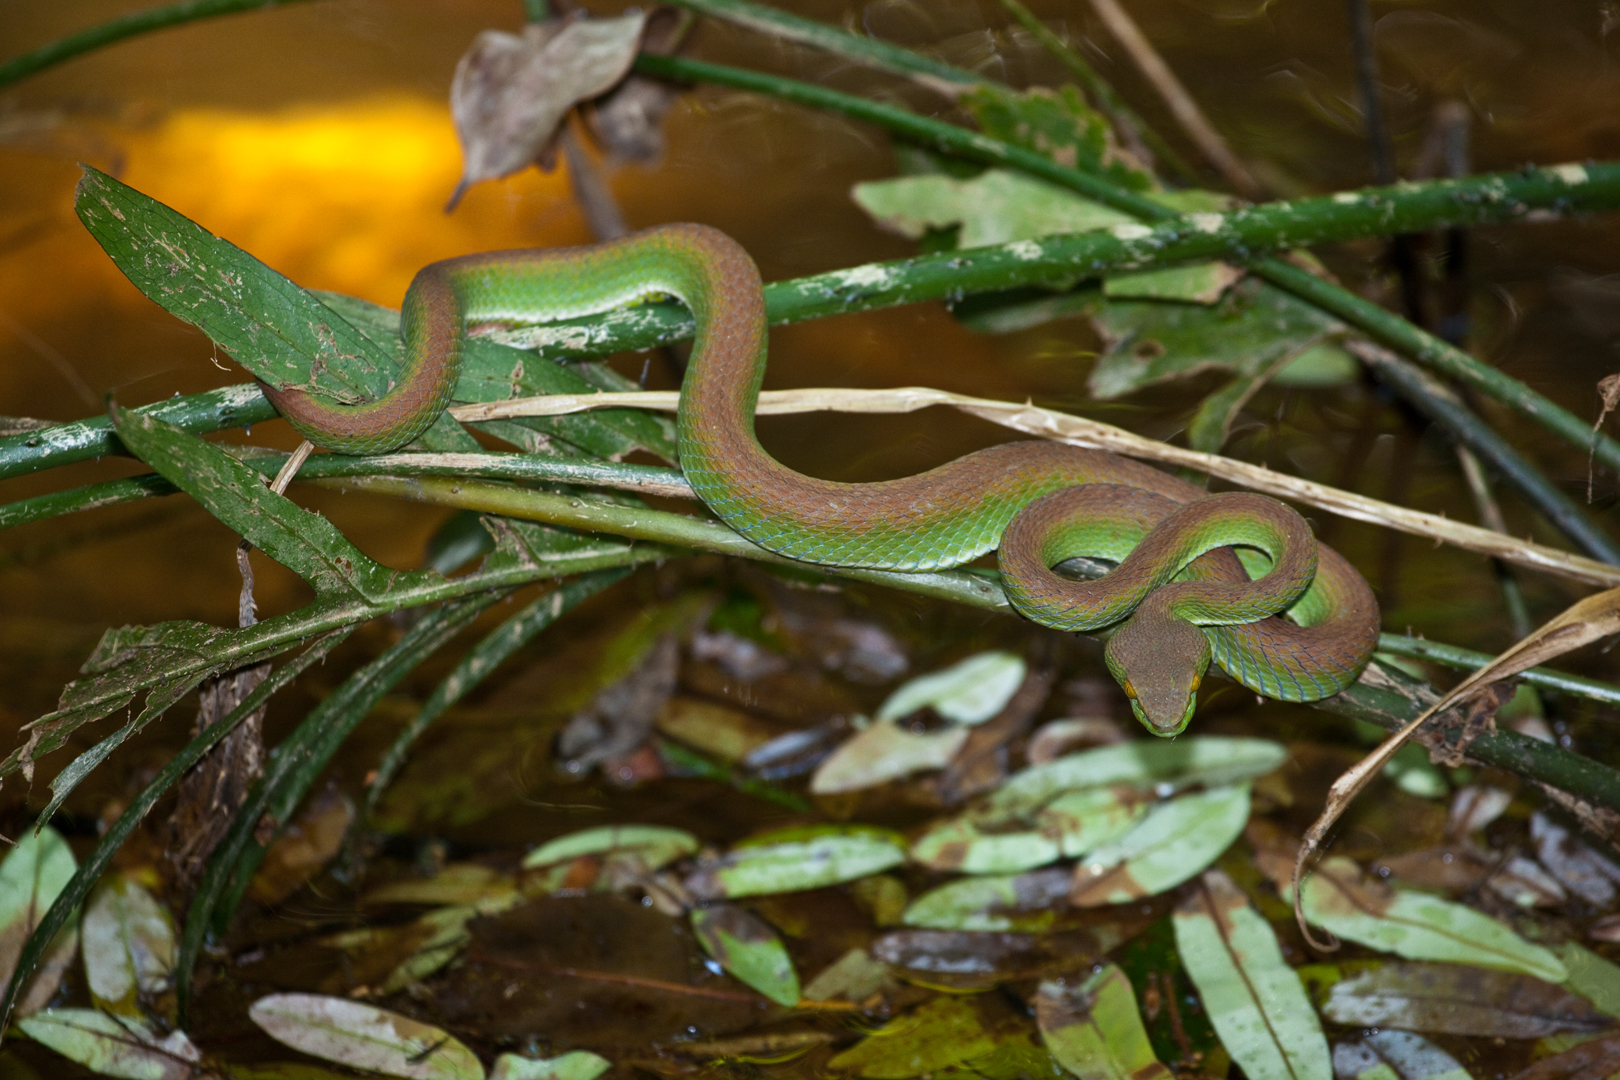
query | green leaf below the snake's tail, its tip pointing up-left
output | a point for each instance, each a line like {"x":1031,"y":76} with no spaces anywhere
{"x":301,"y":540}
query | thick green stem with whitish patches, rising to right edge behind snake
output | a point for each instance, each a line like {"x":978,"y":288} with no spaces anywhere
{"x":1052,"y":263}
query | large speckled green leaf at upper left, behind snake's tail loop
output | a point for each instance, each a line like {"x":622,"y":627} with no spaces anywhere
{"x":271,"y":326}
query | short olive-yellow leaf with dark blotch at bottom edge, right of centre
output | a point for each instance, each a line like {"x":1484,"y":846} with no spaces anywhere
{"x":1094,"y":1029}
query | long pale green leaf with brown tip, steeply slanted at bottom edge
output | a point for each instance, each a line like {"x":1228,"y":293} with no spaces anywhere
{"x":1253,"y":998}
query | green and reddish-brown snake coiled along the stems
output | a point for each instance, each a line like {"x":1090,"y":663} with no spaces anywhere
{"x":1180,"y":595}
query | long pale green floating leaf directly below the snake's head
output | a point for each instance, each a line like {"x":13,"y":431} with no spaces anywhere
{"x":1154,"y":765}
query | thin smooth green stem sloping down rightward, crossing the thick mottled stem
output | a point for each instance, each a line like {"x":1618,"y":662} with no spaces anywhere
{"x":1363,"y":315}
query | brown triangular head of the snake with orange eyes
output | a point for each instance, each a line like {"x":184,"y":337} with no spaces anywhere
{"x":1159,"y":661}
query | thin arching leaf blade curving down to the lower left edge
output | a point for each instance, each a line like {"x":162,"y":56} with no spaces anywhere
{"x":90,"y":872}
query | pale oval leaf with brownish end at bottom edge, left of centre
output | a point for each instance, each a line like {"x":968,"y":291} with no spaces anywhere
{"x":365,"y":1037}
